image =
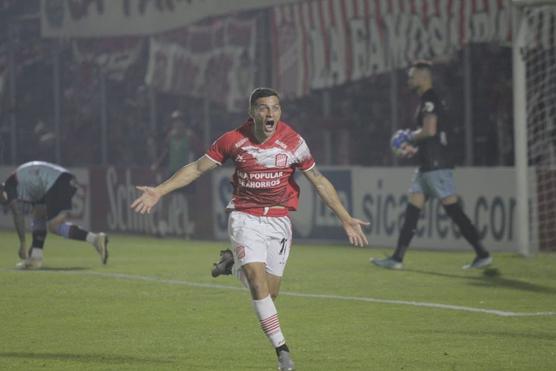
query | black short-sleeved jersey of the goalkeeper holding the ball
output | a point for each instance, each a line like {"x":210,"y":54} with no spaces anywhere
{"x":433,"y":152}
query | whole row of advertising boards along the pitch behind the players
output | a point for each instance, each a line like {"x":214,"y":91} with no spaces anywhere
{"x":374,"y":194}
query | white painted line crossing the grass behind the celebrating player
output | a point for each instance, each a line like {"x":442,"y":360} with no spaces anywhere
{"x":459,"y":308}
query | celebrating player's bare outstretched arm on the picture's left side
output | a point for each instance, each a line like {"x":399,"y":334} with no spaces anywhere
{"x":183,"y":177}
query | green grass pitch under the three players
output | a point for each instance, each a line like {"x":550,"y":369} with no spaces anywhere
{"x":156,"y":307}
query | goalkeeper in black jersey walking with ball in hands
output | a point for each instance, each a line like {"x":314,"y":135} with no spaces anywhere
{"x":434,"y":176}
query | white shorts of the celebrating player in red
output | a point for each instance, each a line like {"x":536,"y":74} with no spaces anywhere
{"x":262,"y":239}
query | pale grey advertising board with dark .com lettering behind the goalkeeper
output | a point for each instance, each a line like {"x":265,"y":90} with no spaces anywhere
{"x":487,"y":194}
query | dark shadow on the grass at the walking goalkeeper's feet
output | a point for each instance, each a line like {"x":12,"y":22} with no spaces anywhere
{"x":493,"y":278}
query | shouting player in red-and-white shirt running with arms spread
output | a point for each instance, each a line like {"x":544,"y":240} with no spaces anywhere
{"x":266,"y":152}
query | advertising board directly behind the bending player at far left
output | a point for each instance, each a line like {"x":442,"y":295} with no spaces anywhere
{"x":81,"y":206}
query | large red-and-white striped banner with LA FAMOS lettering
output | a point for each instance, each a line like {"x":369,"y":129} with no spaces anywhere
{"x":324,"y":43}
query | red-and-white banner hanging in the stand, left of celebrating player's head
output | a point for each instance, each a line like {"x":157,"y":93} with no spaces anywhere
{"x":200,"y":61}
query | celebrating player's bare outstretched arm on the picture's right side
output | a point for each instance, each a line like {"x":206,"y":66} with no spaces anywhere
{"x":328,"y":193}
